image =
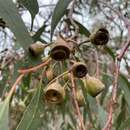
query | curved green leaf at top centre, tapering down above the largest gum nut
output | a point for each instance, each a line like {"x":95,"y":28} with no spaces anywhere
{"x":58,"y":13}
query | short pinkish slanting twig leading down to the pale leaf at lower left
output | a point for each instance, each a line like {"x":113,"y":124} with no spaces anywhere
{"x":13,"y":88}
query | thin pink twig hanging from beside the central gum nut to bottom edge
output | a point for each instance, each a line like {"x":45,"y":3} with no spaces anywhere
{"x":76,"y":103}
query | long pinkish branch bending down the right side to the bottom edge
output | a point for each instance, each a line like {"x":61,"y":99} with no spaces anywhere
{"x":108,"y":124}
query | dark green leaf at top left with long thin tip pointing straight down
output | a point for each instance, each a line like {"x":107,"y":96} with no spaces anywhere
{"x":32,"y":6}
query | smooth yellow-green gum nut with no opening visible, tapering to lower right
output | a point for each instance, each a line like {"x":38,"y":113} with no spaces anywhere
{"x":94,"y":86}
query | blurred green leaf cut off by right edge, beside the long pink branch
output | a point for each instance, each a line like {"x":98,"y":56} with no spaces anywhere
{"x":125,"y":86}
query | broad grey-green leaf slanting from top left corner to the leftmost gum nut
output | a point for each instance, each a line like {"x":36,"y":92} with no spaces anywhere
{"x":9,"y":13}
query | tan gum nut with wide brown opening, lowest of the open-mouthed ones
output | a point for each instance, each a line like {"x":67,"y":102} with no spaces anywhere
{"x":54,"y":93}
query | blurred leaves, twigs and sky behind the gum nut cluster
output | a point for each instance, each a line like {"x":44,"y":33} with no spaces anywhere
{"x":24,"y":22}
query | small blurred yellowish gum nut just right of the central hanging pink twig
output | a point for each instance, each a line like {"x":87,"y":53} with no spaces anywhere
{"x":80,"y":97}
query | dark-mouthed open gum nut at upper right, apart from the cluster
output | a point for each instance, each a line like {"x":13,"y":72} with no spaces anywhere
{"x":100,"y":37}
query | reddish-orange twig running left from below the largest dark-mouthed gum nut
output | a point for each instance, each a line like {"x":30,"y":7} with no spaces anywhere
{"x":33,"y":69}
